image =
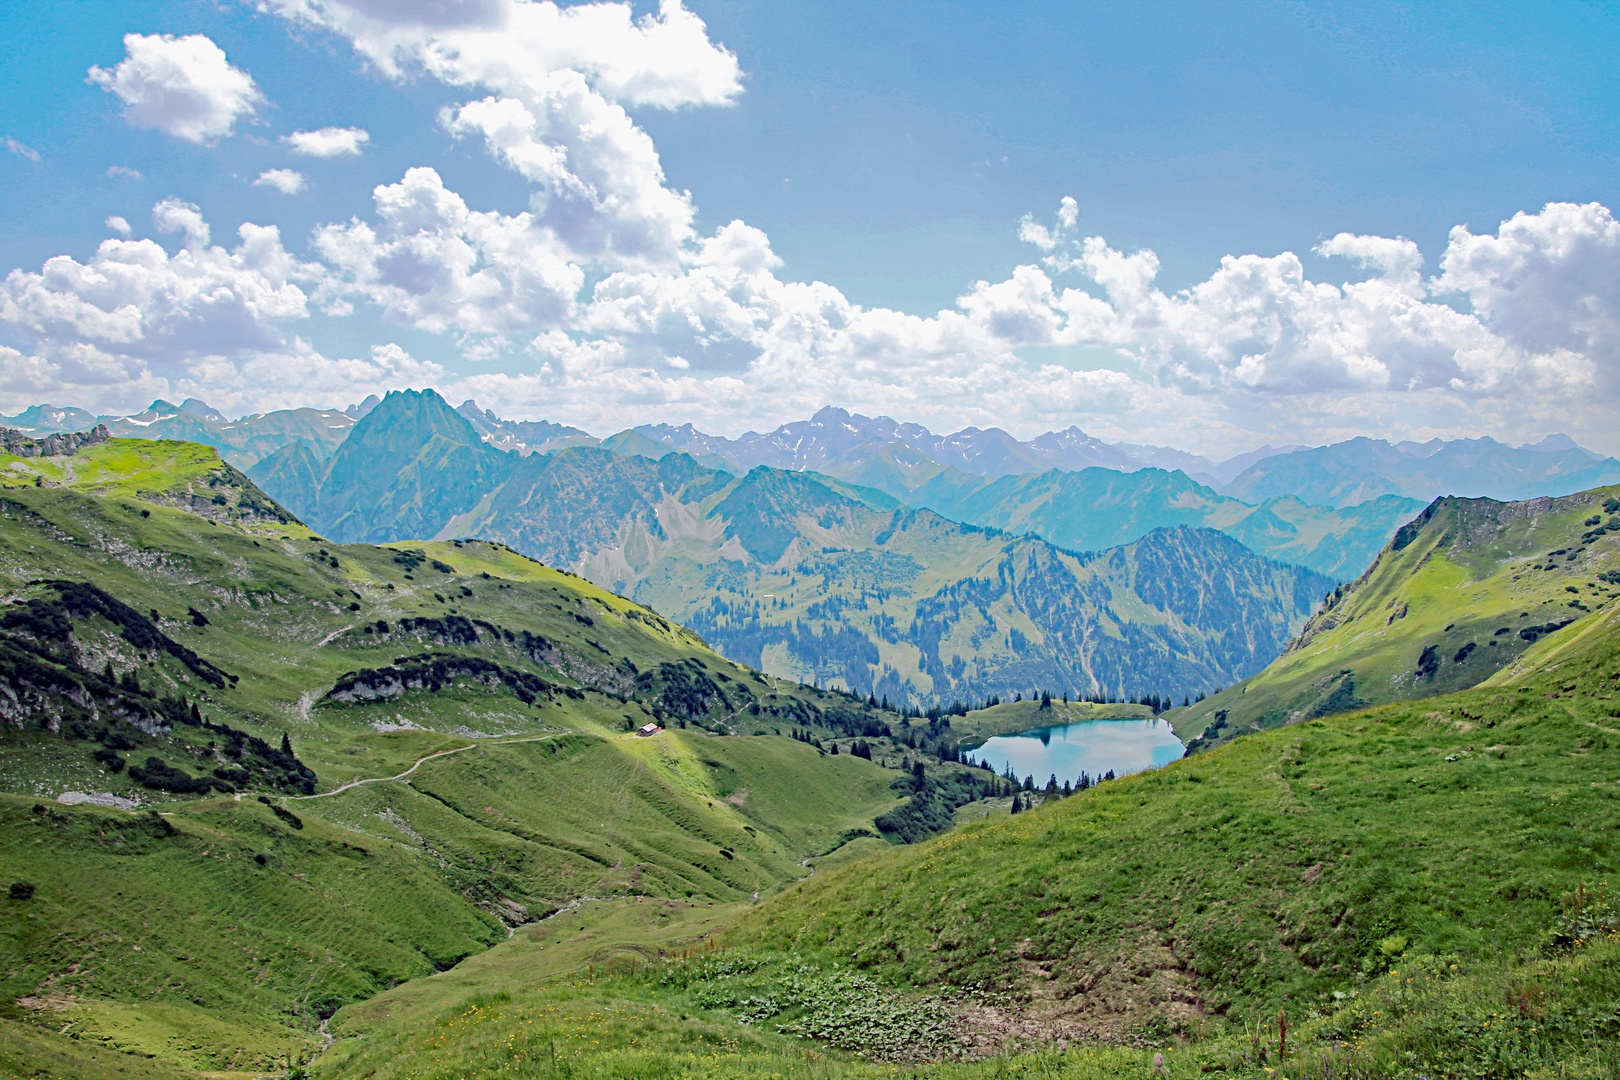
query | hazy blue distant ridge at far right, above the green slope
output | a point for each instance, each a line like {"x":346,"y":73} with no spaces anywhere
{"x":1358,"y":470}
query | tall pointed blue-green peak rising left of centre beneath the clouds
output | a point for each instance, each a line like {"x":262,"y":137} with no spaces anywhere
{"x":406,"y":470}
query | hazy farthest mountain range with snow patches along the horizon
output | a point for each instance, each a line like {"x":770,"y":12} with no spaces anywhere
{"x":866,"y":449}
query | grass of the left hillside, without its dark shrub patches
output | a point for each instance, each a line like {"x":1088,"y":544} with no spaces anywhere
{"x":390,"y":878}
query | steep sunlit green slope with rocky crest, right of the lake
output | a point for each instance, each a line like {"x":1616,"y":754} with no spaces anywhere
{"x":1460,"y":593}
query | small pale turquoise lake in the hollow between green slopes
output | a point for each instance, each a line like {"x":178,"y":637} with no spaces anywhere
{"x":1093,"y":747}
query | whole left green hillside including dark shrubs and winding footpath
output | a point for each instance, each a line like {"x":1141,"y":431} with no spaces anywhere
{"x":294,"y":775}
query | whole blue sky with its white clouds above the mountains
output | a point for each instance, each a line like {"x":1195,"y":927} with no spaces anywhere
{"x":1196,"y":226}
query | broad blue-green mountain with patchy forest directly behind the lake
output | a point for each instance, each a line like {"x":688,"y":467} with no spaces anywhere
{"x":808,"y":577}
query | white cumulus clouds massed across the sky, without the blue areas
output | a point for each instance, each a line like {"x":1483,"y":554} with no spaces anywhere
{"x":602,"y":304}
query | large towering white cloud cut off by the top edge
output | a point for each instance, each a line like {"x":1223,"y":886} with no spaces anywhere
{"x":556,"y":87}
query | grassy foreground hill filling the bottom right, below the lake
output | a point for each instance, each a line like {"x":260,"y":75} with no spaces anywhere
{"x":1409,"y":891}
